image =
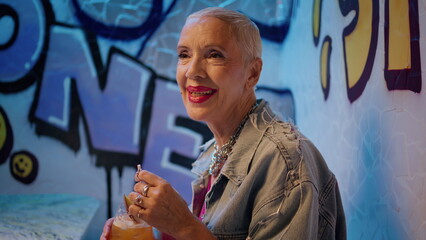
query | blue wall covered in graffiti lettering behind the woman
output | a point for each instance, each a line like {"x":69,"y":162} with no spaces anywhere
{"x":88,"y":90}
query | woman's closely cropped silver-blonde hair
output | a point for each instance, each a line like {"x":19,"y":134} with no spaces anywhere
{"x":245,"y":31}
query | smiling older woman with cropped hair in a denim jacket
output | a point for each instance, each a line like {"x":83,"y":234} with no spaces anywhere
{"x":259,"y":178}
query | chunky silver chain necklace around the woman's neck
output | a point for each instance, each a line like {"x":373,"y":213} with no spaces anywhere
{"x":220,"y":155}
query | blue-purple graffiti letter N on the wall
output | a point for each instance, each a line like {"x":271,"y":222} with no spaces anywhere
{"x":113,"y":115}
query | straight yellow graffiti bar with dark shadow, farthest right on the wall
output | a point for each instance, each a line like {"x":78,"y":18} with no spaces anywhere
{"x":402,"y":47}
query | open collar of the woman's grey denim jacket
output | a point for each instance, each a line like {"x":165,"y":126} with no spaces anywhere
{"x":237,"y":165}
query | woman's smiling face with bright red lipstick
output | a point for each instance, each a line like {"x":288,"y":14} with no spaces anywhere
{"x":211,"y":71}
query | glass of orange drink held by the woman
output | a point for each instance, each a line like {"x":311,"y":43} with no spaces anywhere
{"x":125,"y":228}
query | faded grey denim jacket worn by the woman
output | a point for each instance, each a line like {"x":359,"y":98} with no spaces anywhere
{"x":274,"y":185}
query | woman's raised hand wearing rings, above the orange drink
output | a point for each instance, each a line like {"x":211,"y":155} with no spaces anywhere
{"x":162,"y":207}
